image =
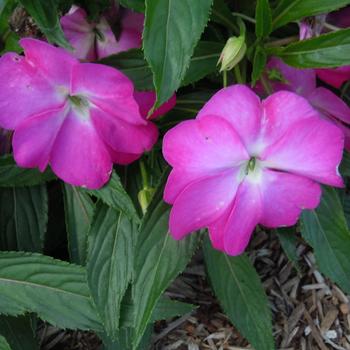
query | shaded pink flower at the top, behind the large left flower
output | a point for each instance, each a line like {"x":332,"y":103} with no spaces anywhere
{"x":93,"y":41}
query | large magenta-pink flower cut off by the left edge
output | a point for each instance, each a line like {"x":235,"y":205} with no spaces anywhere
{"x":78,"y":117}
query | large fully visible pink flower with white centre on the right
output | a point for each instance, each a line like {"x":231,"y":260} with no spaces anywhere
{"x":244,"y":162}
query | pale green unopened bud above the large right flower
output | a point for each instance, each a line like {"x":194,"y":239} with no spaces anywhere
{"x":233,"y":52}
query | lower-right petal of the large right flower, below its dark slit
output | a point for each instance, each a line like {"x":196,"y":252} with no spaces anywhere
{"x":284,"y":196}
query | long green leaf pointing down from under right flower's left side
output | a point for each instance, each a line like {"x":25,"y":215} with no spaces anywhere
{"x":159,"y":259}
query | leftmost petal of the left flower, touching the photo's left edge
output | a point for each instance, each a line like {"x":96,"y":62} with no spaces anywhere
{"x":24,"y":91}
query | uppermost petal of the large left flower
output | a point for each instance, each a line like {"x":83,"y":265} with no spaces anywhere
{"x":54,"y":63}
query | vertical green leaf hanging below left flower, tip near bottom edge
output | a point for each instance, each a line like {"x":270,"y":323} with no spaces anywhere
{"x":110,"y":263}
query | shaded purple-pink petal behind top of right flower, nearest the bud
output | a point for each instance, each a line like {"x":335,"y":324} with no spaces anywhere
{"x":300,"y":81}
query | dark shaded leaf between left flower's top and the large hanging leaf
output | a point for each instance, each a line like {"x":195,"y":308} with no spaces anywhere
{"x":133,"y":65}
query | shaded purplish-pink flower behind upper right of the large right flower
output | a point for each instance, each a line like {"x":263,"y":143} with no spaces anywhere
{"x":303,"y":82}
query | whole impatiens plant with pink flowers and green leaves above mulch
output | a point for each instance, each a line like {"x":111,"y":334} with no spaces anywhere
{"x":139,"y":134}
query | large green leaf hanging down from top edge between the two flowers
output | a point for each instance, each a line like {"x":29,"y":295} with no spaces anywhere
{"x":172,"y":30}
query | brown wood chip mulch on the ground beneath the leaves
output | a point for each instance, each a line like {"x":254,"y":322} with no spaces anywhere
{"x":309,"y":312}
